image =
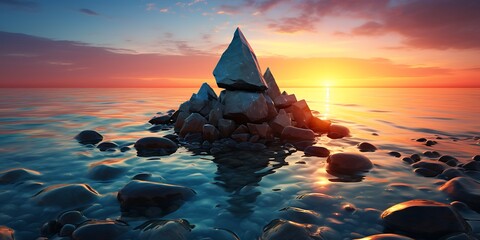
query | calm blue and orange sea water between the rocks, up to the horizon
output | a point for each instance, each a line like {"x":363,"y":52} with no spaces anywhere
{"x":37,"y":127}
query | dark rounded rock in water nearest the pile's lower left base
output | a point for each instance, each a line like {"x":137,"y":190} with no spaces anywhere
{"x":155,"y":146}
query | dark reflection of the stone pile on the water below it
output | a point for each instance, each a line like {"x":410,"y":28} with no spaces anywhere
{"x":239,"y":172}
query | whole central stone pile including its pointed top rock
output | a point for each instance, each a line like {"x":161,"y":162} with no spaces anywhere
{"x":251,"y":107}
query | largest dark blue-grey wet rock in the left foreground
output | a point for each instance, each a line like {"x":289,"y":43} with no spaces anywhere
{"x":143,"y":198}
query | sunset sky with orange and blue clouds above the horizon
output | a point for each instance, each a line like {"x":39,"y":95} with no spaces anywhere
{"x":369,"y":43}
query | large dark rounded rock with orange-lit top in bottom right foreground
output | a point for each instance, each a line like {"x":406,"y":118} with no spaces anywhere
{"x":423,"y":218}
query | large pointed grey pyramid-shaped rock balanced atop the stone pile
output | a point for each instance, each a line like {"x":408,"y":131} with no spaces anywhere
{"x":238,"y":68}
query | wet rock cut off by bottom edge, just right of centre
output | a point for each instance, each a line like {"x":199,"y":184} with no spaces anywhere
{"x":280,"y":229}
